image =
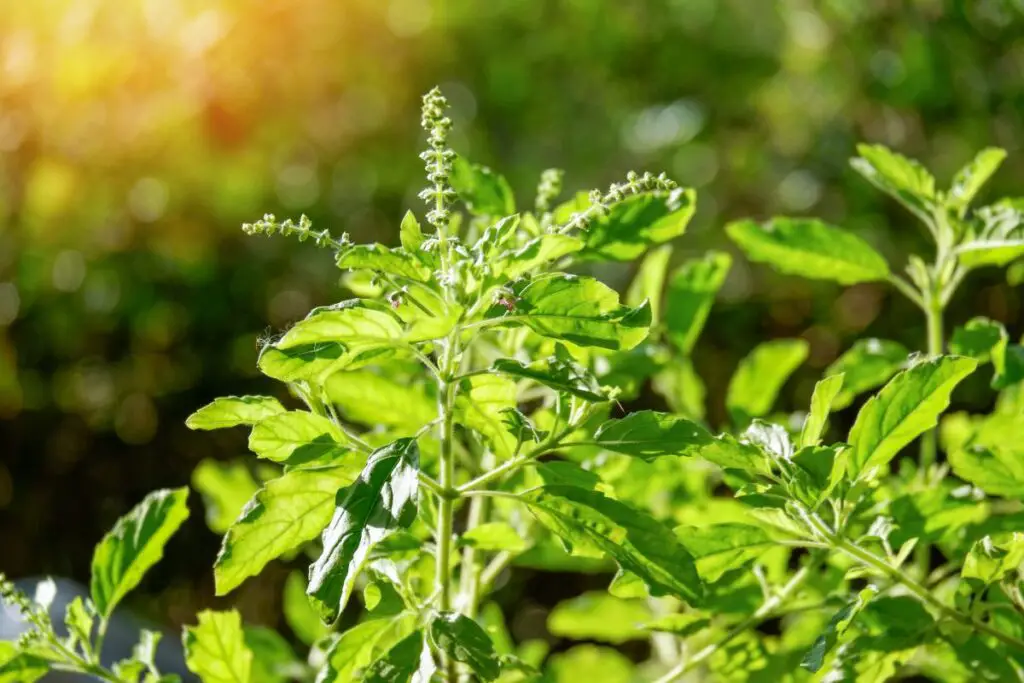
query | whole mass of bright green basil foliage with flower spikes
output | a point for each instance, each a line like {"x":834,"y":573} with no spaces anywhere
{"x":461,"y":418}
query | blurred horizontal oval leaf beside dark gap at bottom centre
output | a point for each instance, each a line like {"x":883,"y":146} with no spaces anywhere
{"x":598,"y":616}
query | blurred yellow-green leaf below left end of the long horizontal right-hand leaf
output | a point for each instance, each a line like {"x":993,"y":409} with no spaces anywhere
{"x":760,"y":376}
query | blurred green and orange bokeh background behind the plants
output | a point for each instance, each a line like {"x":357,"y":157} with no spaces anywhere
{"x":137,"y":136}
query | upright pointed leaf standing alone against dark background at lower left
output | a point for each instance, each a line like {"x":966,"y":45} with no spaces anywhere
{"x":135,"y":545}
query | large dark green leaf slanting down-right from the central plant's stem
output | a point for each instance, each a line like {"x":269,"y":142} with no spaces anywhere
{"x":637,"y":542}
